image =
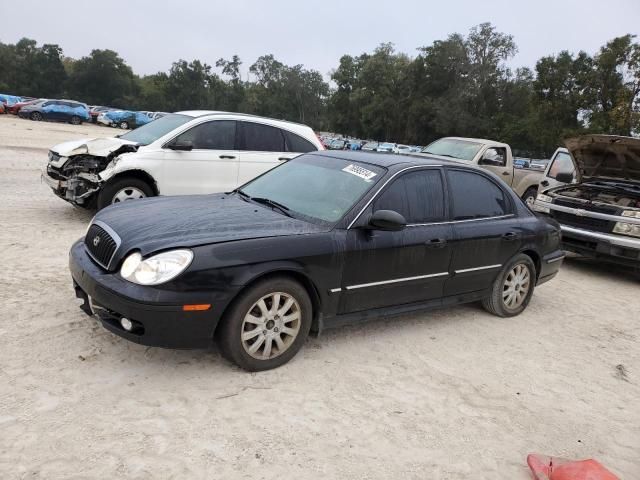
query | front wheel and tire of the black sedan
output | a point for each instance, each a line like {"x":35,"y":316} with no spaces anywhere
{"x":266,"y":325}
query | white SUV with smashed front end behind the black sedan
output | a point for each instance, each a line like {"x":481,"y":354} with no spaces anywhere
{"x":182,"y":153}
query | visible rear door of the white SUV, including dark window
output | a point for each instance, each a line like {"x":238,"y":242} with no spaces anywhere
{"x":262,"y":147}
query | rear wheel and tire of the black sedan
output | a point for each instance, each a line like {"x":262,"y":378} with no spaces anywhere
{"x":513,"y":288}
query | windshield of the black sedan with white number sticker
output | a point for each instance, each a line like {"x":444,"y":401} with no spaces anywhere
{"x":315,"y":188}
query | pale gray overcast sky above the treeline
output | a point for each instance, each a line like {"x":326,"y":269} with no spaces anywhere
{"x":151,"y":34}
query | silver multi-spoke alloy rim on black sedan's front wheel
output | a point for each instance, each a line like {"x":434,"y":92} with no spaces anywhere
{"x":271,"y":325}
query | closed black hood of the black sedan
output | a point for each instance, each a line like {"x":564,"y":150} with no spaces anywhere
{"x":159,"y":223}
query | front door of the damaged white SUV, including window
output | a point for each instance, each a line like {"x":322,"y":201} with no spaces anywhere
{"x":201,"y":160}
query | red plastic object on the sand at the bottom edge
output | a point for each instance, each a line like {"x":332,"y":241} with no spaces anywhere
{"x":553,"y":468}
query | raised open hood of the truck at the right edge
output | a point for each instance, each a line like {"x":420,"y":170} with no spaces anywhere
{"x":609,"y":156}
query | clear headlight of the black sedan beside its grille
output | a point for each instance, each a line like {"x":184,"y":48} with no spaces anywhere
{"x":157,"y":269}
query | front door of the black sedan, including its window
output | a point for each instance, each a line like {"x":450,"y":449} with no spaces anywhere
{"x":386,"y":268}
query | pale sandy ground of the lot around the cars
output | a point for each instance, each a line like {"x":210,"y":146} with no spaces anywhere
{"x":453,"y":394}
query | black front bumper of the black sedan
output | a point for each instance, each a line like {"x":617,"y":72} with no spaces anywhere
{"x":157,"y":314}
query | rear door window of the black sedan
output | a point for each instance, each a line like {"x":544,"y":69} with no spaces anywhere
{"x":475,"y":196}
